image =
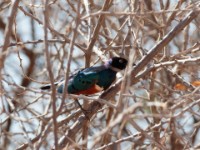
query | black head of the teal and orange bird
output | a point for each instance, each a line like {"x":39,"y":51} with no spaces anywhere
{"x":118,"y":63}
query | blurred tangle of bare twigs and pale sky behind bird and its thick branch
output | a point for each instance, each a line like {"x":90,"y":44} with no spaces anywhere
{"x":86,"y":33}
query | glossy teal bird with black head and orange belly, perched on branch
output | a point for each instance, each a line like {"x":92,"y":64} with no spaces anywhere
{"x":92,"y":80}
